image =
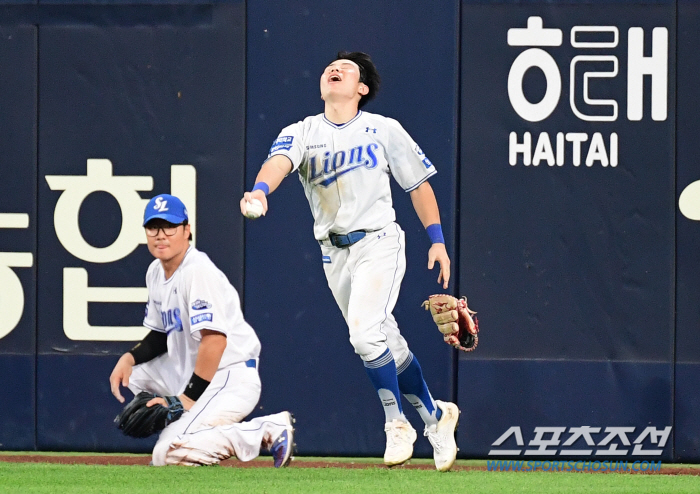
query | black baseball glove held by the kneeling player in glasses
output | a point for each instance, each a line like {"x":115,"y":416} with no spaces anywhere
{"x":139,"y":420}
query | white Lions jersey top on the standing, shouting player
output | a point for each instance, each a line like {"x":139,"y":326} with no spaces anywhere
{"x":345,"y":169}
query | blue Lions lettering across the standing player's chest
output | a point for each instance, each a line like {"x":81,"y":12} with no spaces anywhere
{"x":327,"y":168}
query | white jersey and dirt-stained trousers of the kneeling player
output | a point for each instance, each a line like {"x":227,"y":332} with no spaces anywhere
{"x":199,"y":296}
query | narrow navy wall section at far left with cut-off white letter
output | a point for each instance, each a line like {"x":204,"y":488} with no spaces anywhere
{"x":18,"y":235}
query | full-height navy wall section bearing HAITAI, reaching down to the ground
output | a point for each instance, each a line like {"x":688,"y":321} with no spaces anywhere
{"x":572,"y":266}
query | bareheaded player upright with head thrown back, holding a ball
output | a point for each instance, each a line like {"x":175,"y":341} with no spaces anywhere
{"x":344,"y":157}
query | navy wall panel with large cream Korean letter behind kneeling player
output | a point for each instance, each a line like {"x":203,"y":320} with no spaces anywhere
{"x":126,"y":112}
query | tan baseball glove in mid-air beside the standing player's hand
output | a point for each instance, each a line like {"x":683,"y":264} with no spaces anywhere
{"x":454,"y":320}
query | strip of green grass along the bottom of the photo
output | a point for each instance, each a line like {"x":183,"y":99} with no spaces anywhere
{"x":54,"y":478}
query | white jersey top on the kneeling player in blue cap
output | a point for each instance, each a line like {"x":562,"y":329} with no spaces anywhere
{"x":197,"y":296}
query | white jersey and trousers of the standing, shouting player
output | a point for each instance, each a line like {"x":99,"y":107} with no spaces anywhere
{"x":345,"y":172}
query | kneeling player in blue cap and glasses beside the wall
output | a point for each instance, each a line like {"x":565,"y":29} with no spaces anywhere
{"x":201,"y":350}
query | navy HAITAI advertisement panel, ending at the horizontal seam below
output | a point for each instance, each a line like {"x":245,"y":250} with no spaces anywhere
{"x":567,"y":169}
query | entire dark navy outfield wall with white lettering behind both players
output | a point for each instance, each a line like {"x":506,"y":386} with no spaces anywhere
{"x":563,"y":134}
